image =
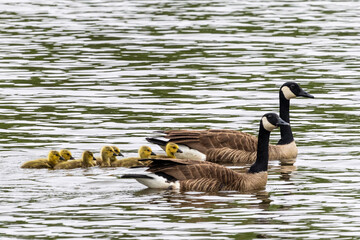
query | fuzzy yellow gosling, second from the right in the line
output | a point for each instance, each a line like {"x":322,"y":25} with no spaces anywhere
{"x":144,"y":152}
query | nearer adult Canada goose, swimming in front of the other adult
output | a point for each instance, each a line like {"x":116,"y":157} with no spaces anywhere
{"x":197,"y":175}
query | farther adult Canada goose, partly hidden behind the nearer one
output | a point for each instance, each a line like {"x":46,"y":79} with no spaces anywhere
{"x":231,"y":146}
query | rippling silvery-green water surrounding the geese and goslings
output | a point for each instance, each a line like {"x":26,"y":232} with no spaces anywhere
{"x":83,"y":74}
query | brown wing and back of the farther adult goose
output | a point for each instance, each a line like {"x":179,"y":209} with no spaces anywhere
{"x":202,"y":140}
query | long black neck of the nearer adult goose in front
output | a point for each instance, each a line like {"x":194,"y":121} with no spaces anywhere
{"x":262,"y":156}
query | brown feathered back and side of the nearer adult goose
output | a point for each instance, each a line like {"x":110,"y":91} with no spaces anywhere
{"x":206,"y":176}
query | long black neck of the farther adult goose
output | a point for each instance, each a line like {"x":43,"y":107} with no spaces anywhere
{"x":286,"y":133}
